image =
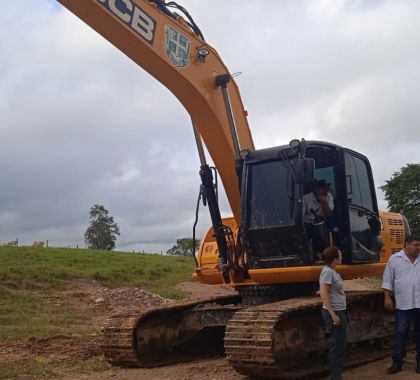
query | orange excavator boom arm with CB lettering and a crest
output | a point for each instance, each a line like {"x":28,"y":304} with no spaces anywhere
{"x":164,"y":44}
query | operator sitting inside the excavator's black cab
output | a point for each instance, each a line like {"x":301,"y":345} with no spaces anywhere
{"x":318,"y":206}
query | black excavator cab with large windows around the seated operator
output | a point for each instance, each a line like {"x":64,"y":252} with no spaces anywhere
{"x":274,"y":182}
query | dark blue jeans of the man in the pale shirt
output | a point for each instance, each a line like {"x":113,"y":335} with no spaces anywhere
{"x":403,"y":320}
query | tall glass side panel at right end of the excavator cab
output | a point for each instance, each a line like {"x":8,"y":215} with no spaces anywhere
{"x":364,"y":241}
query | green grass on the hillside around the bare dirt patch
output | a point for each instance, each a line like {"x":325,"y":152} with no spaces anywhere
{"x":28,"y":276}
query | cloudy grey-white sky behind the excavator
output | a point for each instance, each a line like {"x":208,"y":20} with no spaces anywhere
{"x":81,"y":124}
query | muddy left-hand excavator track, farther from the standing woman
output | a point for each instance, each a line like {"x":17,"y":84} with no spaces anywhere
{"x":170,"y":333}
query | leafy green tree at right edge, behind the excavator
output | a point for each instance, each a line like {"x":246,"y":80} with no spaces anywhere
{"x":402,"y":192}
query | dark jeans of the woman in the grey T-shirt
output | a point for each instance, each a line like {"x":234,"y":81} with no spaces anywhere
{"x":337,"y":341}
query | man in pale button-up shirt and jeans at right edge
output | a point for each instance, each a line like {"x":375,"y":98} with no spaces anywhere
{"x":401,"y":284}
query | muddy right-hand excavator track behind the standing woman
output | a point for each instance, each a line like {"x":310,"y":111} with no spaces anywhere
{"x":286,"y":339}
